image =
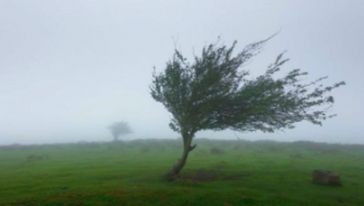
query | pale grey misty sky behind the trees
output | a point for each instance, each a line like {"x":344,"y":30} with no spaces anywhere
{"x":69,"y":68}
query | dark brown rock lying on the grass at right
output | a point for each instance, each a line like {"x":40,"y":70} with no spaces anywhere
{"x":325,"y":177}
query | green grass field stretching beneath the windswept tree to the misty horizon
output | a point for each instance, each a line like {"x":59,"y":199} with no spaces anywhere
{"x":217,"y":173}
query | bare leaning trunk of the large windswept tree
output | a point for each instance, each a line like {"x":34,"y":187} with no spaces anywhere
{"x":176,"y":169}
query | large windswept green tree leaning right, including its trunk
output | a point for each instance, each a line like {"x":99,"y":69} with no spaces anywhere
{"x":212,"y":93}
